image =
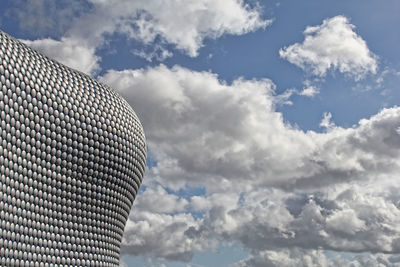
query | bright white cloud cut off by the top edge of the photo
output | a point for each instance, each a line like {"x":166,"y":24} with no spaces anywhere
{"x":185,"y":26}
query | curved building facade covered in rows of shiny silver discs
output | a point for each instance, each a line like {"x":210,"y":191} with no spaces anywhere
{"x":72,"y":157}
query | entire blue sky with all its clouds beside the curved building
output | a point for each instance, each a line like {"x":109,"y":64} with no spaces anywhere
{"x":272,"y":126}
